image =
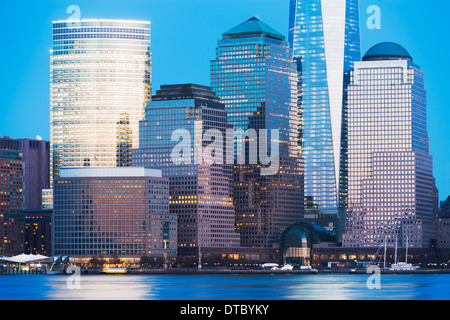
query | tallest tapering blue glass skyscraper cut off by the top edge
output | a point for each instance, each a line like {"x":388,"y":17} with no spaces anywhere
{"x":325,"y":38}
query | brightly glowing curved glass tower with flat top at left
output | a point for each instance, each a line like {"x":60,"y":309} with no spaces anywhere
{"x":100,"y":81}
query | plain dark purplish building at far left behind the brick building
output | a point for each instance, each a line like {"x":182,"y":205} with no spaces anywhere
{"x":35,"y":154}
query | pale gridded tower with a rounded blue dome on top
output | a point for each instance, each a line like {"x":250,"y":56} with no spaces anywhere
{"x":391,"y":189}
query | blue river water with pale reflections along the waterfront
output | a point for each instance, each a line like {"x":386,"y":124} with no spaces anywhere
{"x":224,"y":287}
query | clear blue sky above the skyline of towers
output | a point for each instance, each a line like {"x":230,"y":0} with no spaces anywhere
{"x":184,"y":38}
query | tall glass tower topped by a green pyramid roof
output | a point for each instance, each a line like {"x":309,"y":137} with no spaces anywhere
{"x":255,"y":76}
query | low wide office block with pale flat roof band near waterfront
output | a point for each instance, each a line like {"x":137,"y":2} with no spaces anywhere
{"x":108,"y":212}
